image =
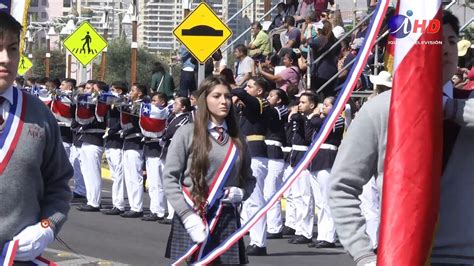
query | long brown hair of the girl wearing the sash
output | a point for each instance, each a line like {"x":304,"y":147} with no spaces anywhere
{"x":201,"y":139}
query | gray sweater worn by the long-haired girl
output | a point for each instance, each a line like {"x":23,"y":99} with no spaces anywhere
{"x":178,"y":164}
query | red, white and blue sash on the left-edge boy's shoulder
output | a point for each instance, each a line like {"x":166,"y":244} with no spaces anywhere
{"x":11,"y":128}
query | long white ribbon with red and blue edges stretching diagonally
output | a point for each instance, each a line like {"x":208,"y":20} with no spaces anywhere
{"x":344,"y":95}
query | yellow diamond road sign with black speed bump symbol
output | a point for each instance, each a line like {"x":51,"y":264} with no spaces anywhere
{"x":202,"y":32}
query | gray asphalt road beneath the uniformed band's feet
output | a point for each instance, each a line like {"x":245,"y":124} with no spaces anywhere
{"x":97,"y":239}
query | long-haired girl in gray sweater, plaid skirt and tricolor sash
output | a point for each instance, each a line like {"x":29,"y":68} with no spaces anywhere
{"x":193,"y":171}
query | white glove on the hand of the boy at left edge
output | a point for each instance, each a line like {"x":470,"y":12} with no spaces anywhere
{"x":33,"y":240}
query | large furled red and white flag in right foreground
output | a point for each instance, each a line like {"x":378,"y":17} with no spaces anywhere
{"x":413,"y":161}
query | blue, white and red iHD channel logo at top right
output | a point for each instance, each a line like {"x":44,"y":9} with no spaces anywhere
{"x":401,"y":26}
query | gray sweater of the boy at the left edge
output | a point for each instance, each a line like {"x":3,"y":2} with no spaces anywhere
{"x":34,"y":185}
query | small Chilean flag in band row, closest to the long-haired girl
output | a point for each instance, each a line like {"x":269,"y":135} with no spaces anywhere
{"x":153,"y":120}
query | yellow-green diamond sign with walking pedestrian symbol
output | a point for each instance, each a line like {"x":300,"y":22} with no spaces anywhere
{"x":85,"y":43}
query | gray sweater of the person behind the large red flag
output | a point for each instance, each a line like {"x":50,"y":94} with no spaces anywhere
{"x":361,"y":156}
